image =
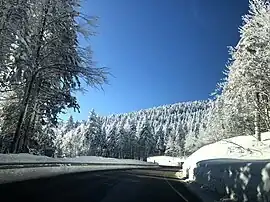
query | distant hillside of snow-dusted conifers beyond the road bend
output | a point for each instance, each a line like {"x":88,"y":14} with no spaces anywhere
{"x":169,"y":129}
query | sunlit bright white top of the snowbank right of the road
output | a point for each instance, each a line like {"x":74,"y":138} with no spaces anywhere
{"x":240,"y":147}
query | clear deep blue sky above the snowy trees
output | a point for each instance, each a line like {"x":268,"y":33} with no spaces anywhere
{"x":160,"y":51}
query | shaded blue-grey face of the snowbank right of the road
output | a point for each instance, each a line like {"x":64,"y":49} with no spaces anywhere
{"x":244,"y":180}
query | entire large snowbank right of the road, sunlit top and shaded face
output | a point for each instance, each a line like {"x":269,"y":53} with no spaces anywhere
{"x":237,"y":167}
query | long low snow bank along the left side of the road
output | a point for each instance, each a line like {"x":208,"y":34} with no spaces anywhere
{"x":29,"y":158}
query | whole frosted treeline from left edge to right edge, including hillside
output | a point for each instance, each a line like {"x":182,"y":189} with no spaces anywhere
{"x":42,"y":66}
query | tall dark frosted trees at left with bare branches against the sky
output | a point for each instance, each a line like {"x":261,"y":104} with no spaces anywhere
{"x":41,"y":67}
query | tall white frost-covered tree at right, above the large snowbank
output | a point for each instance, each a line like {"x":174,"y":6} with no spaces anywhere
{"x":245,"y":91}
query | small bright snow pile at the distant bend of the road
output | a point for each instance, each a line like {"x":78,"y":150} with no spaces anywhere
{"x":166,"y":160}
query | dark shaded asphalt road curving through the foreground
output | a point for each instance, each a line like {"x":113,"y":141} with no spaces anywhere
{"x":142,"y":185}
